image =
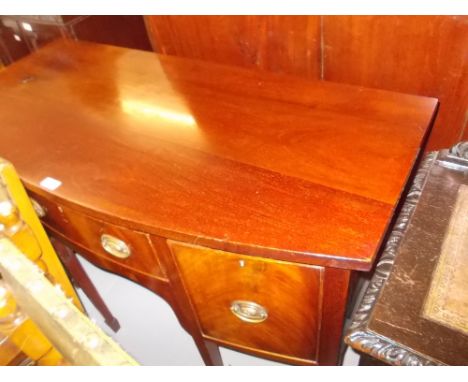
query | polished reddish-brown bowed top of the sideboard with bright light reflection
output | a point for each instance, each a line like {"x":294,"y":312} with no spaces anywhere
{"x":241,"y":160}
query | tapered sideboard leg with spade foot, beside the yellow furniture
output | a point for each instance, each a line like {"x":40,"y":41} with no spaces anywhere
{"x":81,"y":278}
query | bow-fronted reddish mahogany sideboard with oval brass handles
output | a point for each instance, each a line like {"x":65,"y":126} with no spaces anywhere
{"x":245,"y":199}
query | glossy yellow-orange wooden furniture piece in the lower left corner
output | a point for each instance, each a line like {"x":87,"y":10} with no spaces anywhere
{"x":41,"y":317}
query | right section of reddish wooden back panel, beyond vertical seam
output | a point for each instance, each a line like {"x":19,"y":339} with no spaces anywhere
{"x":411,"y":54}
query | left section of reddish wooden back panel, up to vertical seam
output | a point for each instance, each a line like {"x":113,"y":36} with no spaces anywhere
{"x":286,"y":44}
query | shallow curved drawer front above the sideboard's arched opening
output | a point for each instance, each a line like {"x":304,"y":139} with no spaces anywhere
{"x":126,"y":247}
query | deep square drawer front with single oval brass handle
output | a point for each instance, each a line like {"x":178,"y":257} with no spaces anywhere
{"x":254,"y":303}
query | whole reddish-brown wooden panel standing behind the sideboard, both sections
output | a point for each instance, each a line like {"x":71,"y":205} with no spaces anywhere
{"x":425,"y":55}
